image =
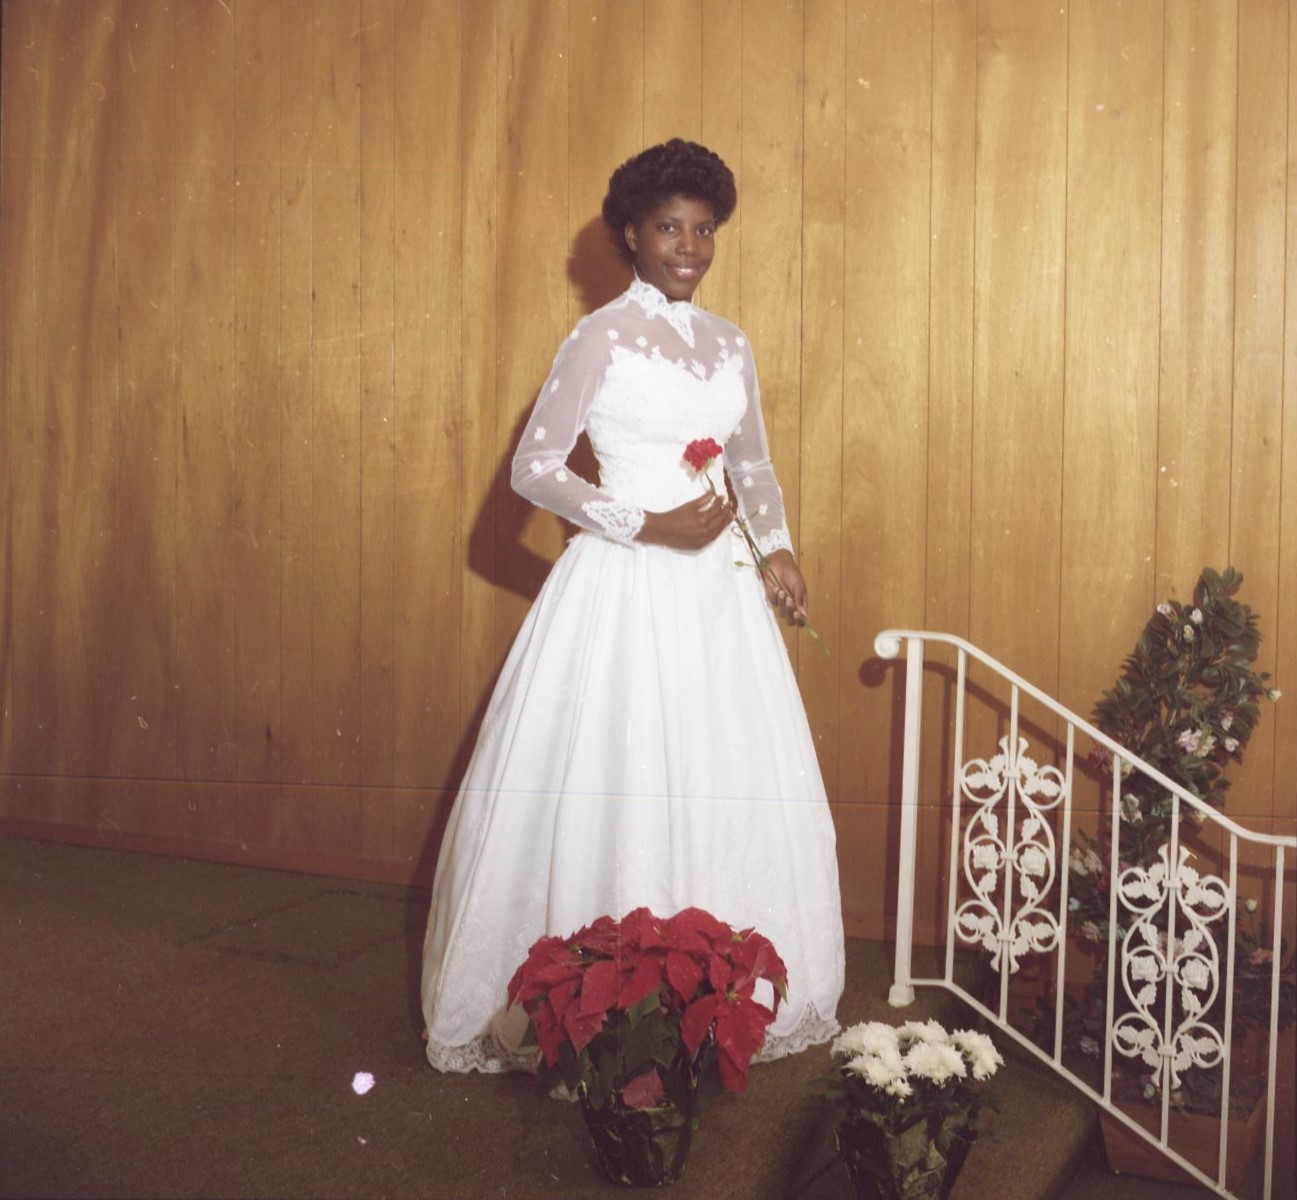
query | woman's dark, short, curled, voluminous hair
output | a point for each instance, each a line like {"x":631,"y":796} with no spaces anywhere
{"x":675,"y":168}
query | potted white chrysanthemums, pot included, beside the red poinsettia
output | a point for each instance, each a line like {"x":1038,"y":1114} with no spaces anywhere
{"x":909,"y":1105}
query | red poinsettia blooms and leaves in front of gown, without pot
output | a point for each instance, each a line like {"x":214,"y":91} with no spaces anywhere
{"x":648,"y":1011}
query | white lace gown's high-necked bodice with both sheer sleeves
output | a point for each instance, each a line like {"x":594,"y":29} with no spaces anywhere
{"x":644,"y":377}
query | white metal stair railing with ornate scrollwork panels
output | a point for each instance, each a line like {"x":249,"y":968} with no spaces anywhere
{"x":1028,"y":841}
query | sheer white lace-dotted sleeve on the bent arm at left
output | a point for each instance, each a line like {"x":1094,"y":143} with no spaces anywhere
{"x":540,"y":470}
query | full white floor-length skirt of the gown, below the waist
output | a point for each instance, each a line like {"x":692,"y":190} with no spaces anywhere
{"x":645,"y":745}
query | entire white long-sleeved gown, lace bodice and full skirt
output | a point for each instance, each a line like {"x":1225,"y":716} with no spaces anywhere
{"x":647,"y":743}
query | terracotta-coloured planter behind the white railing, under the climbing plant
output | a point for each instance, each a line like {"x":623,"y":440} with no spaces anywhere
{"x":1195,"y":1137}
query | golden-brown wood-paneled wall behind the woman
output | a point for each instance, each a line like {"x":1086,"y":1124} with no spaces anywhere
{"x":282,"y":280}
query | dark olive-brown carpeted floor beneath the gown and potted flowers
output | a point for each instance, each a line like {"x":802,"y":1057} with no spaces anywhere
{"x":174,"y":1029}
